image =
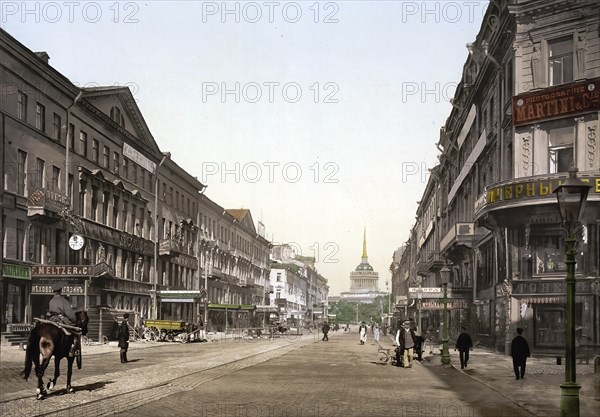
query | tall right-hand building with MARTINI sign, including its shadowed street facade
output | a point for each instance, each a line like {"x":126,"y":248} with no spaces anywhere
{"x":525,"y":111}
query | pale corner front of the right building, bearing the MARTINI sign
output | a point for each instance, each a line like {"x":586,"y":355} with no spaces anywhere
{"x":553,"y":115}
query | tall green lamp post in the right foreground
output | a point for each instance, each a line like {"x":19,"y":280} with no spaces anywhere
{"x":572,"y":197}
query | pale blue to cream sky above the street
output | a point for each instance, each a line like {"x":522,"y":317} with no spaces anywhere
{"x":321,"y":117}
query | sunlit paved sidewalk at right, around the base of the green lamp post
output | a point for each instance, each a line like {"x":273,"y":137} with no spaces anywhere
{"x":538,"y":393}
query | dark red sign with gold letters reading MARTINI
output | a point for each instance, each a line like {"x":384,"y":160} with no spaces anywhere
{"x":569,"y":99}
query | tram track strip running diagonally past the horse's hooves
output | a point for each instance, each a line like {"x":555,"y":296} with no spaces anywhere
{"x":180,"y":376}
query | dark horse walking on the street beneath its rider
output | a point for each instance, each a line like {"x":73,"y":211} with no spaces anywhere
{"x":46,"y":340}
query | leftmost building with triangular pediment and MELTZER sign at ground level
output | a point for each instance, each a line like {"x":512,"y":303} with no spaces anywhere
{"x":78,"y":191}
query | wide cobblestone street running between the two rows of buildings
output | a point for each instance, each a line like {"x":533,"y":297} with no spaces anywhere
{"x":289,"y":376}
